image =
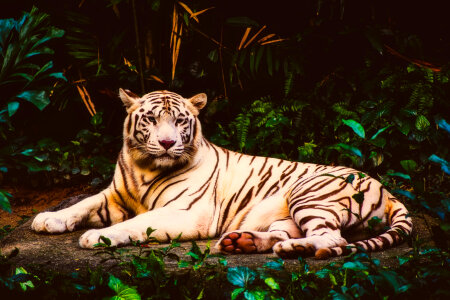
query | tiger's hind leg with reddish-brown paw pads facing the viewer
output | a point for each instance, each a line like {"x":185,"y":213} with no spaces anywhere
{"x":244,"y":241}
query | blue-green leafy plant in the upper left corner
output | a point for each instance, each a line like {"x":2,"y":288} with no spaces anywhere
{"x":25,"y":66}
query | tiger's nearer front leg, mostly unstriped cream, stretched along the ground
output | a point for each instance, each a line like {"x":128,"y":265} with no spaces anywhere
{"x":167,"y":222}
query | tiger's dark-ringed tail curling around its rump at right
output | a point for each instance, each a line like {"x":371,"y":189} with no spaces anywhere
{"x":400,"y":227}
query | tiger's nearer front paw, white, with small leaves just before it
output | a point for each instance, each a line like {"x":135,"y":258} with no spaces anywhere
{"x":117,"y":237}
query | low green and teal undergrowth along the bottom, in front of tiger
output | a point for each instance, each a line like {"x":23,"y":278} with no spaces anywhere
{"x":149,"y":273}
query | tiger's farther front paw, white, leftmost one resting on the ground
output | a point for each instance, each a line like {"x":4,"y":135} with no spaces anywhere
{"x":55,"y":222}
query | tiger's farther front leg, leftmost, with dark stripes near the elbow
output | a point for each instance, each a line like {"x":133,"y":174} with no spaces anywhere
{"x":96,"y":211}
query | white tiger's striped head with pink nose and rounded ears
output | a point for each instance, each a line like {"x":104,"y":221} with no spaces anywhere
{"x":161,"y":129}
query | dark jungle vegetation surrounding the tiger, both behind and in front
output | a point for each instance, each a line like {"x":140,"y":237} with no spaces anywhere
{"x":357,"y":83}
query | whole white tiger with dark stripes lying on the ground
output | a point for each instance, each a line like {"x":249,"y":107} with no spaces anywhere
{"x":169,"y":177}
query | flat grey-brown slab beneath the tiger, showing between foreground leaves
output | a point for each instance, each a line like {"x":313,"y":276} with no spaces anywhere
{"x":61,"y":252}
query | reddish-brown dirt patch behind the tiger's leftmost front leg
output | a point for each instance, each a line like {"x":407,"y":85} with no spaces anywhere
{"x":29,"y":201}
